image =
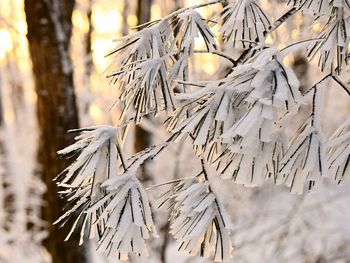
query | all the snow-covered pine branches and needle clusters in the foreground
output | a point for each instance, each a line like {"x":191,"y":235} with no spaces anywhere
{"x":239,"y":124}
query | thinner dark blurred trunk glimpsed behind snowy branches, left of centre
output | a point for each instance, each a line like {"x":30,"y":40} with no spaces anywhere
{"x":143,"y":139}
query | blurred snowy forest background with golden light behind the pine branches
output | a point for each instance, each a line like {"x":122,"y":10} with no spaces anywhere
{"x":52,"y":63}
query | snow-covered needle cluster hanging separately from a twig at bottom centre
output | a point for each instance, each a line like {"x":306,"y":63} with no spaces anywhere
{"x":199,"y":222}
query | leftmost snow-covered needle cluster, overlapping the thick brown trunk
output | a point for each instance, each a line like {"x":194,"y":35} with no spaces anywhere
{"x":100,"y":158}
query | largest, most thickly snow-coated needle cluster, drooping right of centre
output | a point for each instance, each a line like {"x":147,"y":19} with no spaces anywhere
{"x":272,"y":97}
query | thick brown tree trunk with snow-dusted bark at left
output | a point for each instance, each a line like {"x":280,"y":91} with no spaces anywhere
{"x":49,"y":31}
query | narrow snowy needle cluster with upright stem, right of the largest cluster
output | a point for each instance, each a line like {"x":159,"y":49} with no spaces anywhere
{"x":305,"y":159}
